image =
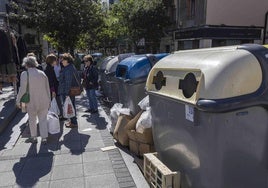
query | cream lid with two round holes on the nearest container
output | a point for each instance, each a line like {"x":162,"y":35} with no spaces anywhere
{"x":214,"y":73}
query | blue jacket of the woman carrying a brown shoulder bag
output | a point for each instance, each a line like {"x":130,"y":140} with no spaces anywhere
{"x":67,"y":79}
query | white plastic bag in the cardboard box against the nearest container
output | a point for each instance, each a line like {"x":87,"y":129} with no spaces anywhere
{"x":145,"y":121}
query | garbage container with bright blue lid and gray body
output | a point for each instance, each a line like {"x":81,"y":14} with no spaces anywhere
{"x":132,"y":74}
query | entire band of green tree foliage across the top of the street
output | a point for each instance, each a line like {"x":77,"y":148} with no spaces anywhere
{"x":82,"y":24}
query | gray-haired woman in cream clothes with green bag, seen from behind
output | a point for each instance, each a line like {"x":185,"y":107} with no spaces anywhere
{"x":39,"y":103}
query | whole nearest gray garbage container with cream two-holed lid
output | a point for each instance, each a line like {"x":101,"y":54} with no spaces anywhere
{"x":209,"y":113}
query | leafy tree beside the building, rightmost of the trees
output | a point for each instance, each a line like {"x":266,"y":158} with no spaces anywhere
{"x":142,"y":19}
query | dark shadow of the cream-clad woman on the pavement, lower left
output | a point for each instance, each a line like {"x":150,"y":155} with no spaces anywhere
{"x":33,"y":167}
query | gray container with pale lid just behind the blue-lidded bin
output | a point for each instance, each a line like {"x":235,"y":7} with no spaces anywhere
{"x":109,"y":81}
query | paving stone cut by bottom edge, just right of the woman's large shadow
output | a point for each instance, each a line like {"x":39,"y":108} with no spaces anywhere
{"x":68,"y":183}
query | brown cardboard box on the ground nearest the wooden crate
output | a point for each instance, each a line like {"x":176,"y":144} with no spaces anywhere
{"x":141,"y":143}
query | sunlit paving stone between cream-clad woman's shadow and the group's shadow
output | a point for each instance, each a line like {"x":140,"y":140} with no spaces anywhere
{"x":65,"y":159}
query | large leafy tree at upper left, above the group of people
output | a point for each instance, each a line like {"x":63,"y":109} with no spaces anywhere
{"x":63,"y":21}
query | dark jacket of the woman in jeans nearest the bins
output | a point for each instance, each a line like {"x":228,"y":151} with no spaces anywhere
{"x":91,"y":76}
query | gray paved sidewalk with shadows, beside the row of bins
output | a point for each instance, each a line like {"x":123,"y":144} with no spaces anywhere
{"x":72,"y":158}
